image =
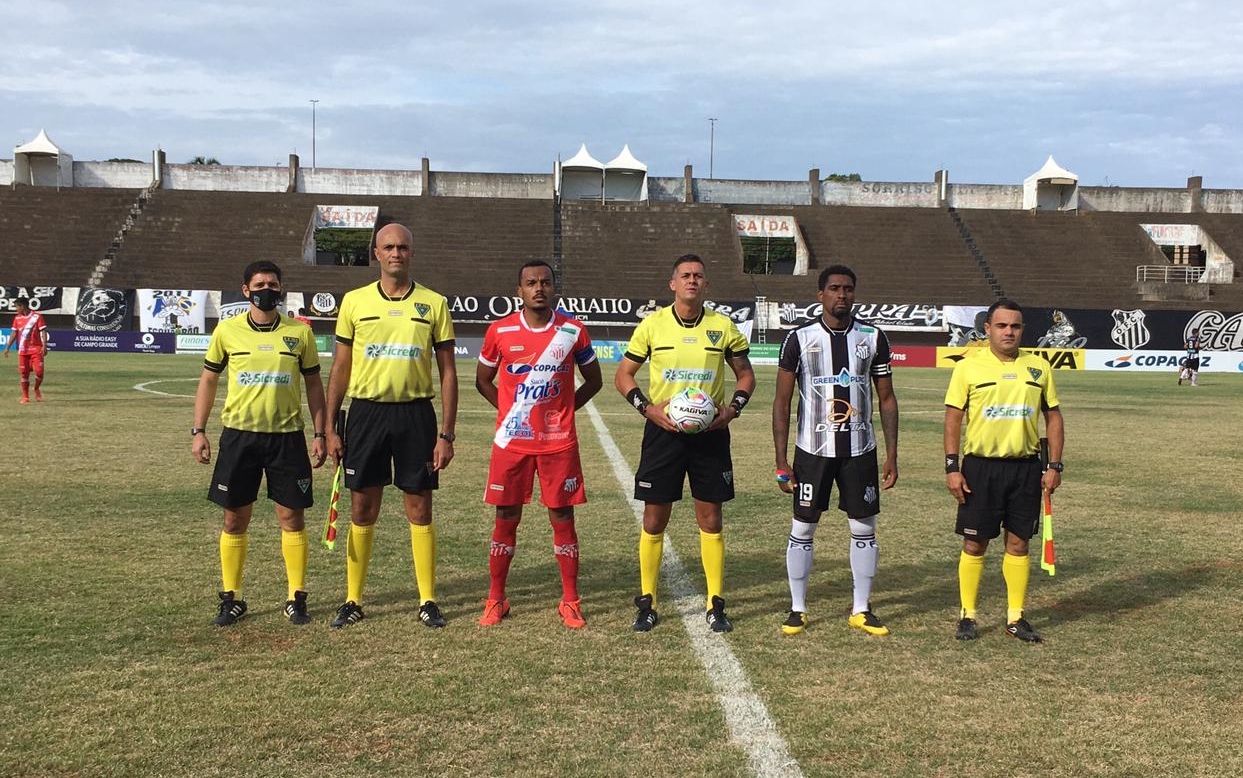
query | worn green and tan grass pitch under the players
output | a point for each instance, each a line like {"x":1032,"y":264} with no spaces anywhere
{"x":112,"y":668}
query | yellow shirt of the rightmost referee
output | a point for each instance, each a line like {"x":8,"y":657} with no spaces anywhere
{"x":1002,"y":402}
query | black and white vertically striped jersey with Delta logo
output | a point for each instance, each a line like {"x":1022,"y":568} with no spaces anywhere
{"x":835,"y":371}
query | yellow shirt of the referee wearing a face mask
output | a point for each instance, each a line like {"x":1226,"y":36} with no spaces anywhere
{"x":265,"y":365}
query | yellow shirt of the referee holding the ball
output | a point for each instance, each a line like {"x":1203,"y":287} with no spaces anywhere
{"x":687,"y":354}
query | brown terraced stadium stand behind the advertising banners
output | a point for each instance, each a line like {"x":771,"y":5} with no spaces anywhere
{"x":195,"y":239}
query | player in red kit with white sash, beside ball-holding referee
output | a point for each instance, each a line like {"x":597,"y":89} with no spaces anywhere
{"x":534,"y":352}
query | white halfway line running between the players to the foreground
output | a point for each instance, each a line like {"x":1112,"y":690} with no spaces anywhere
{"x":745,"y":714}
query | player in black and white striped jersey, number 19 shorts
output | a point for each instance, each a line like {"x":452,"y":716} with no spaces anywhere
{"x":835,"y":361}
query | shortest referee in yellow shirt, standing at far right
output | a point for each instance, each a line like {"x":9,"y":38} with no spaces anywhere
{"x":999,"y":479}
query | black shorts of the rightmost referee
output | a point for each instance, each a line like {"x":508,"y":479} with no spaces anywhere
{"x":1005,"y":493}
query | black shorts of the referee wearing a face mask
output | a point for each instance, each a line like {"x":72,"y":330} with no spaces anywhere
{"x":243,"y":459}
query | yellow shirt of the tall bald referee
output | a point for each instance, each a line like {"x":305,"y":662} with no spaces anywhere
{"x":393,"y":342}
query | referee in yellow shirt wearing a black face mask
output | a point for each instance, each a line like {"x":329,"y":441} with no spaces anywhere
{"x":268,"y":357}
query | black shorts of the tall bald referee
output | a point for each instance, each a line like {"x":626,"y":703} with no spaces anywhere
{"x":391,"y":443}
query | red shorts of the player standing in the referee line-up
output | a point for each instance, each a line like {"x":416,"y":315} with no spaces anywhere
{"x":510,"y":478}
